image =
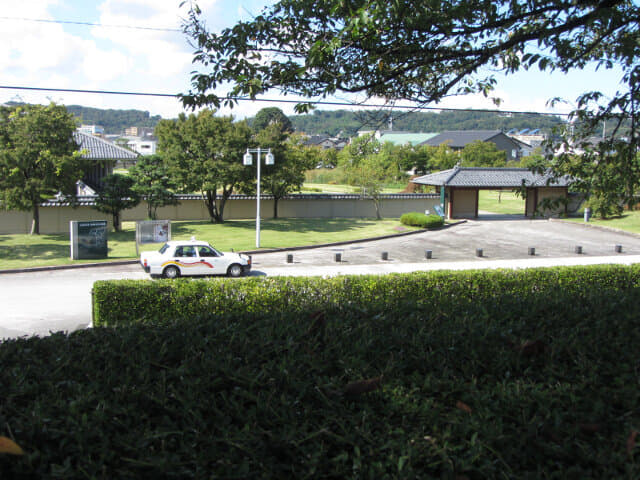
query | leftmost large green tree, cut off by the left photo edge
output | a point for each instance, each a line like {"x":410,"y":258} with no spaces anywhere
{"x":38,"y":157}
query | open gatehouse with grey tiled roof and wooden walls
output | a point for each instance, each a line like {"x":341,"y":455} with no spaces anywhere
{"x":459,"y":188}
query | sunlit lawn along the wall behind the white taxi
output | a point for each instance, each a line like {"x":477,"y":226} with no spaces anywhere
{"x":23,"y":251}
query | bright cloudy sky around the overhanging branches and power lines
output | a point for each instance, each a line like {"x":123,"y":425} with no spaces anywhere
{"x":155,"y":57}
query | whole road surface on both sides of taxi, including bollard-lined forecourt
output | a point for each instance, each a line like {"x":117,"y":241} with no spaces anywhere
{"x":37,"y":303}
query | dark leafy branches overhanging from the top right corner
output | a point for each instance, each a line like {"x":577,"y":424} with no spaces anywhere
{"x":443,"y":47}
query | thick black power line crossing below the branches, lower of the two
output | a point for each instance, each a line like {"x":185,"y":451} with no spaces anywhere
{"x":280,"y":100}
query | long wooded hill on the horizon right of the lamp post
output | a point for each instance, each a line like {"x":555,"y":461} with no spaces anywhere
{"x":346,"y":123}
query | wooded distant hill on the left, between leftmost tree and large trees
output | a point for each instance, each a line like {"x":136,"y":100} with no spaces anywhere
{"x":113,"y":121}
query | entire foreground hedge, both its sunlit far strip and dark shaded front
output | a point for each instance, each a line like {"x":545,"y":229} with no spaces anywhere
{"x":514,"y":374}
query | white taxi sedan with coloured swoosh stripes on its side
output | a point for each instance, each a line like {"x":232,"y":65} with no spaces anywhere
{"x":192,"y":257}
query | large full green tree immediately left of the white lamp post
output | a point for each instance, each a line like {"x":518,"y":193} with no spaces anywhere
{"x":204,"y":154}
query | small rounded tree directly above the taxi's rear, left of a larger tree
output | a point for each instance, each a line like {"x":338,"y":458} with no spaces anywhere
{"x":153,"y":183}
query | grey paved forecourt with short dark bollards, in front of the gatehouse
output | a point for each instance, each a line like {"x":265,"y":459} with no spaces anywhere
{"x":499,"y":238}
